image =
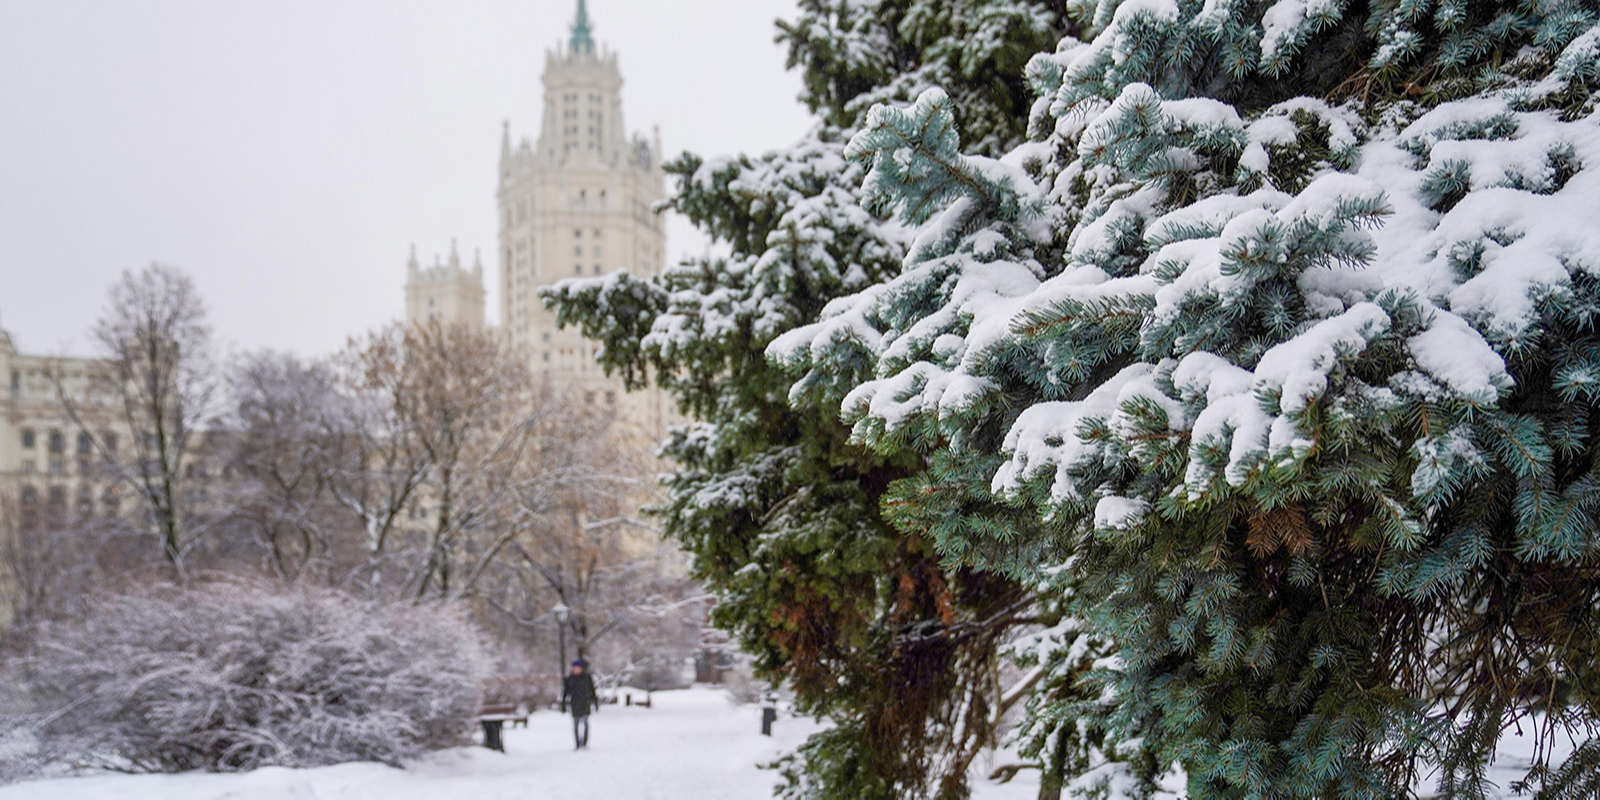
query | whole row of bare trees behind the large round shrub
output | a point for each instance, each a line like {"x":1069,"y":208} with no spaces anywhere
{"x":422,"y":465}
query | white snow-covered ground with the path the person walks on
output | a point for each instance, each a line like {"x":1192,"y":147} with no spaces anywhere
{"x":692,"y":745}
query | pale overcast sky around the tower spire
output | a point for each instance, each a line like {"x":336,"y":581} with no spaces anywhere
{"x":289,"y":153}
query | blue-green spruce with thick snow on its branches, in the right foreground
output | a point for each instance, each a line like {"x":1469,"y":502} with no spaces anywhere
{"x":1286,"y":329}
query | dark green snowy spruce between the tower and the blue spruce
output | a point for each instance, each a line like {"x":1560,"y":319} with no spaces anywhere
{"x":778,"y":508}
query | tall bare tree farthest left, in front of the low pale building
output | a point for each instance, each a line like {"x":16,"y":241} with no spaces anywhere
{"x":158,"y":385}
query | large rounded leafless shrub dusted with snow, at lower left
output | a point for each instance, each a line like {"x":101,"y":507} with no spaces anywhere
{"x":234,"y":676}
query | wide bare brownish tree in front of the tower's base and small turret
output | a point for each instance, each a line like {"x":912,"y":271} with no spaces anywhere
{"x":454,"y":452}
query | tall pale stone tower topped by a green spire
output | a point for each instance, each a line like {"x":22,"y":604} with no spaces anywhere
{"x":578,"y":202}
